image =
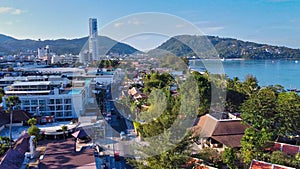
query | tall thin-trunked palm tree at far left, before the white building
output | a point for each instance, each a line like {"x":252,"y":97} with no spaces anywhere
{"x":12,"y":102}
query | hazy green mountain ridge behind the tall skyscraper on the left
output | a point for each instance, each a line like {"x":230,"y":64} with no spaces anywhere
{"x":9,"y":45}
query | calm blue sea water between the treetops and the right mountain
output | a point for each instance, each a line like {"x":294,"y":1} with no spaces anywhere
{"x":268,"y":72}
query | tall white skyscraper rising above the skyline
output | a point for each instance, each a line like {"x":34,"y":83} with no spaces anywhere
{"x":93,"y":36}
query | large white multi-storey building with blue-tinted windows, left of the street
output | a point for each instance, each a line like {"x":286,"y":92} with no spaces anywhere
{"x":47,"y":98}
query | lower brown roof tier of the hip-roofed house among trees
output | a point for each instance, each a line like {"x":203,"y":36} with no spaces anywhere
{"x":229,"y":140}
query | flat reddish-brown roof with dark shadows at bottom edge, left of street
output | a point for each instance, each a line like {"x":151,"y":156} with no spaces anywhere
{"x":61,"y":154}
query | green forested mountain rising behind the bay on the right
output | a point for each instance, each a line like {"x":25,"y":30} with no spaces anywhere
{"x":212,"y":47}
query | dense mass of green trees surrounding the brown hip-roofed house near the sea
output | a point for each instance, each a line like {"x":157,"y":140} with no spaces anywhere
{"x":272,"y":113}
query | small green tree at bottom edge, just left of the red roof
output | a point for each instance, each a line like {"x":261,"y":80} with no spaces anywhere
{"x":229,"y":158}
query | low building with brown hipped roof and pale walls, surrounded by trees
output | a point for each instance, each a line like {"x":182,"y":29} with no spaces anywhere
{"x":219,"y":132}
